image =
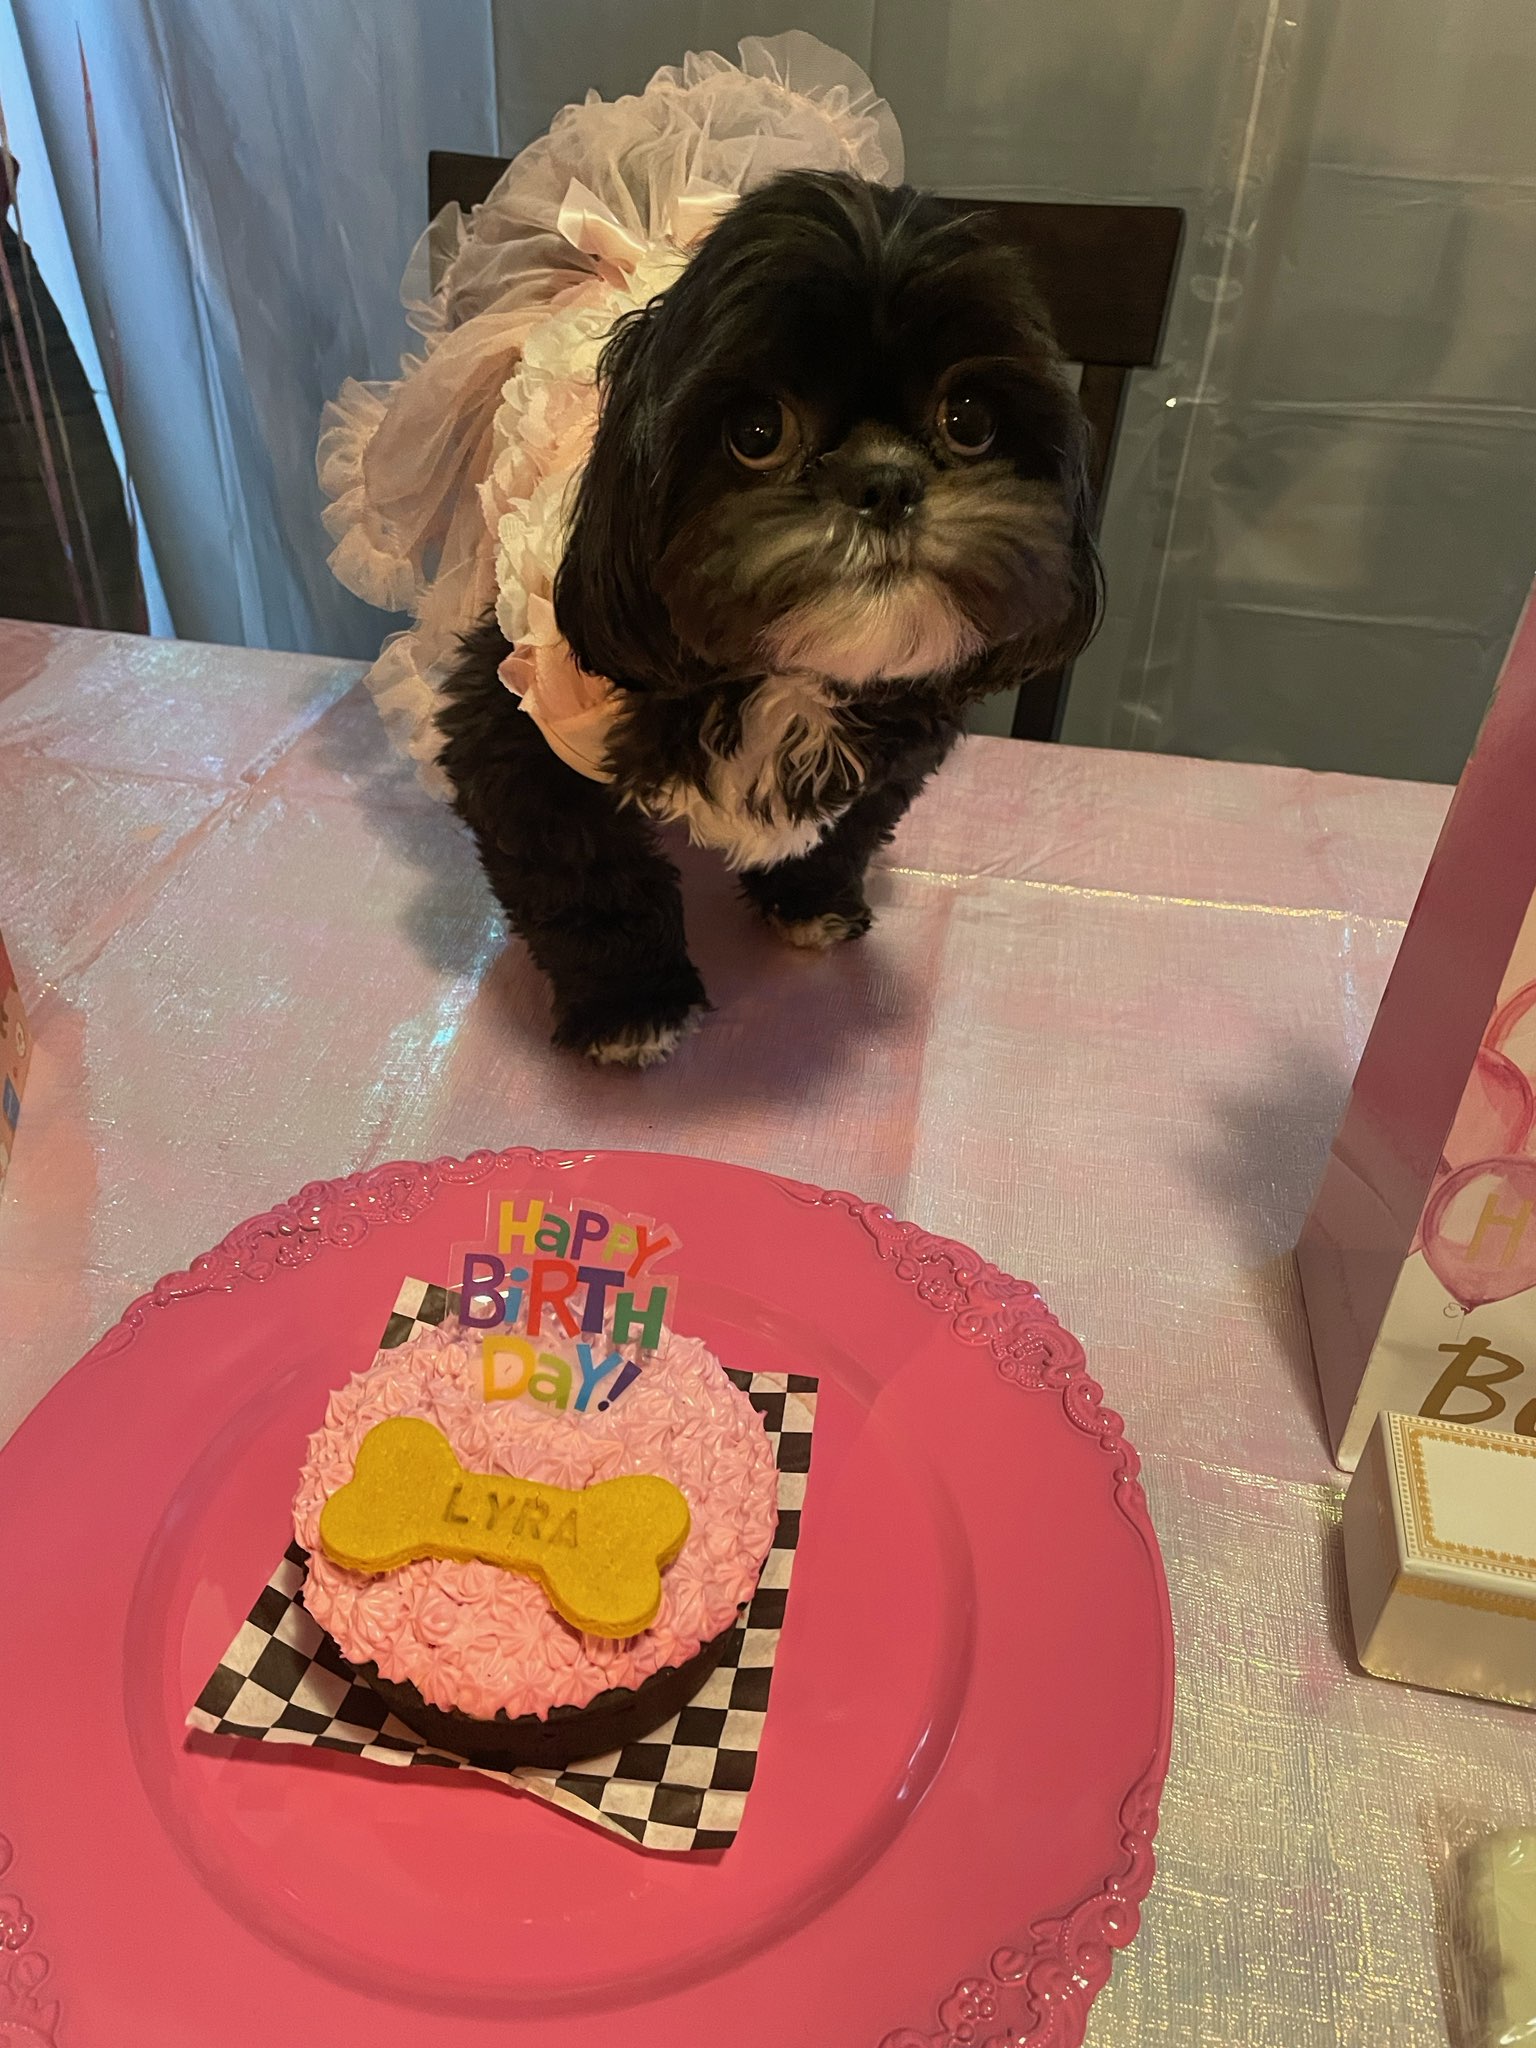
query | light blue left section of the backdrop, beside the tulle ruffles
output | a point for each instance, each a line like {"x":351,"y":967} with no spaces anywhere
{"x":263,"y":179}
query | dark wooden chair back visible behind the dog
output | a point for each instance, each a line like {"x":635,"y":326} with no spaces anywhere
{"x":1105,"y":278}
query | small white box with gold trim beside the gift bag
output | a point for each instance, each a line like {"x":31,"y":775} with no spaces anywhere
{"x":1441,"y":1555}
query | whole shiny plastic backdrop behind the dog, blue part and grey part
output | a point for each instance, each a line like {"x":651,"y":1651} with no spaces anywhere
{"x":1324,"y":501}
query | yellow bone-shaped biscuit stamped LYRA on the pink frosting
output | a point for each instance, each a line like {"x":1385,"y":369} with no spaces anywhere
{"x":597,"y":1551}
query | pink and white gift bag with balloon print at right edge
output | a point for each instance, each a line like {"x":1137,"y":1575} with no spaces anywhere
{"x":1418,"y":1261}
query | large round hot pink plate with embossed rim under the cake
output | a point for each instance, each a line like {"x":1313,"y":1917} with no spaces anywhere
{"x":955,"y":1803}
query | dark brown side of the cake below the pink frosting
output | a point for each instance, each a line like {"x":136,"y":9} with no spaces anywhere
{"x":564,"y":1736}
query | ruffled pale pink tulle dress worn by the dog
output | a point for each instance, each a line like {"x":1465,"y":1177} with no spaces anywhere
{"x":447,"y":488}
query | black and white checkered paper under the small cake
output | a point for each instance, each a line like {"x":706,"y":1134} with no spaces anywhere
{"x":685,"y":1787}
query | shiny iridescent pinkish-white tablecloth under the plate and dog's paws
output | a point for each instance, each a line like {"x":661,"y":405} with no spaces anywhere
{"x":1103,"y":1031}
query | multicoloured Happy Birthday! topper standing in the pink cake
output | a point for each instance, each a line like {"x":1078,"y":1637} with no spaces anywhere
{"x":589,"y":1275}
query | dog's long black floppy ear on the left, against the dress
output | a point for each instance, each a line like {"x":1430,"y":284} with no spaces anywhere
{"x":605,"y":591}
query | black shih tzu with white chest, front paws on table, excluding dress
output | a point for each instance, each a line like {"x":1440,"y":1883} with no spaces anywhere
{"x":837,"y":495}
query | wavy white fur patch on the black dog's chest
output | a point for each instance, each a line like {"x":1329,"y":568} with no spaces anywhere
{"x":790,"y":732}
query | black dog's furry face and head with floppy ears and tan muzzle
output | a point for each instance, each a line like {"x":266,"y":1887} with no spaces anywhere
{"x":841,"y":443}
